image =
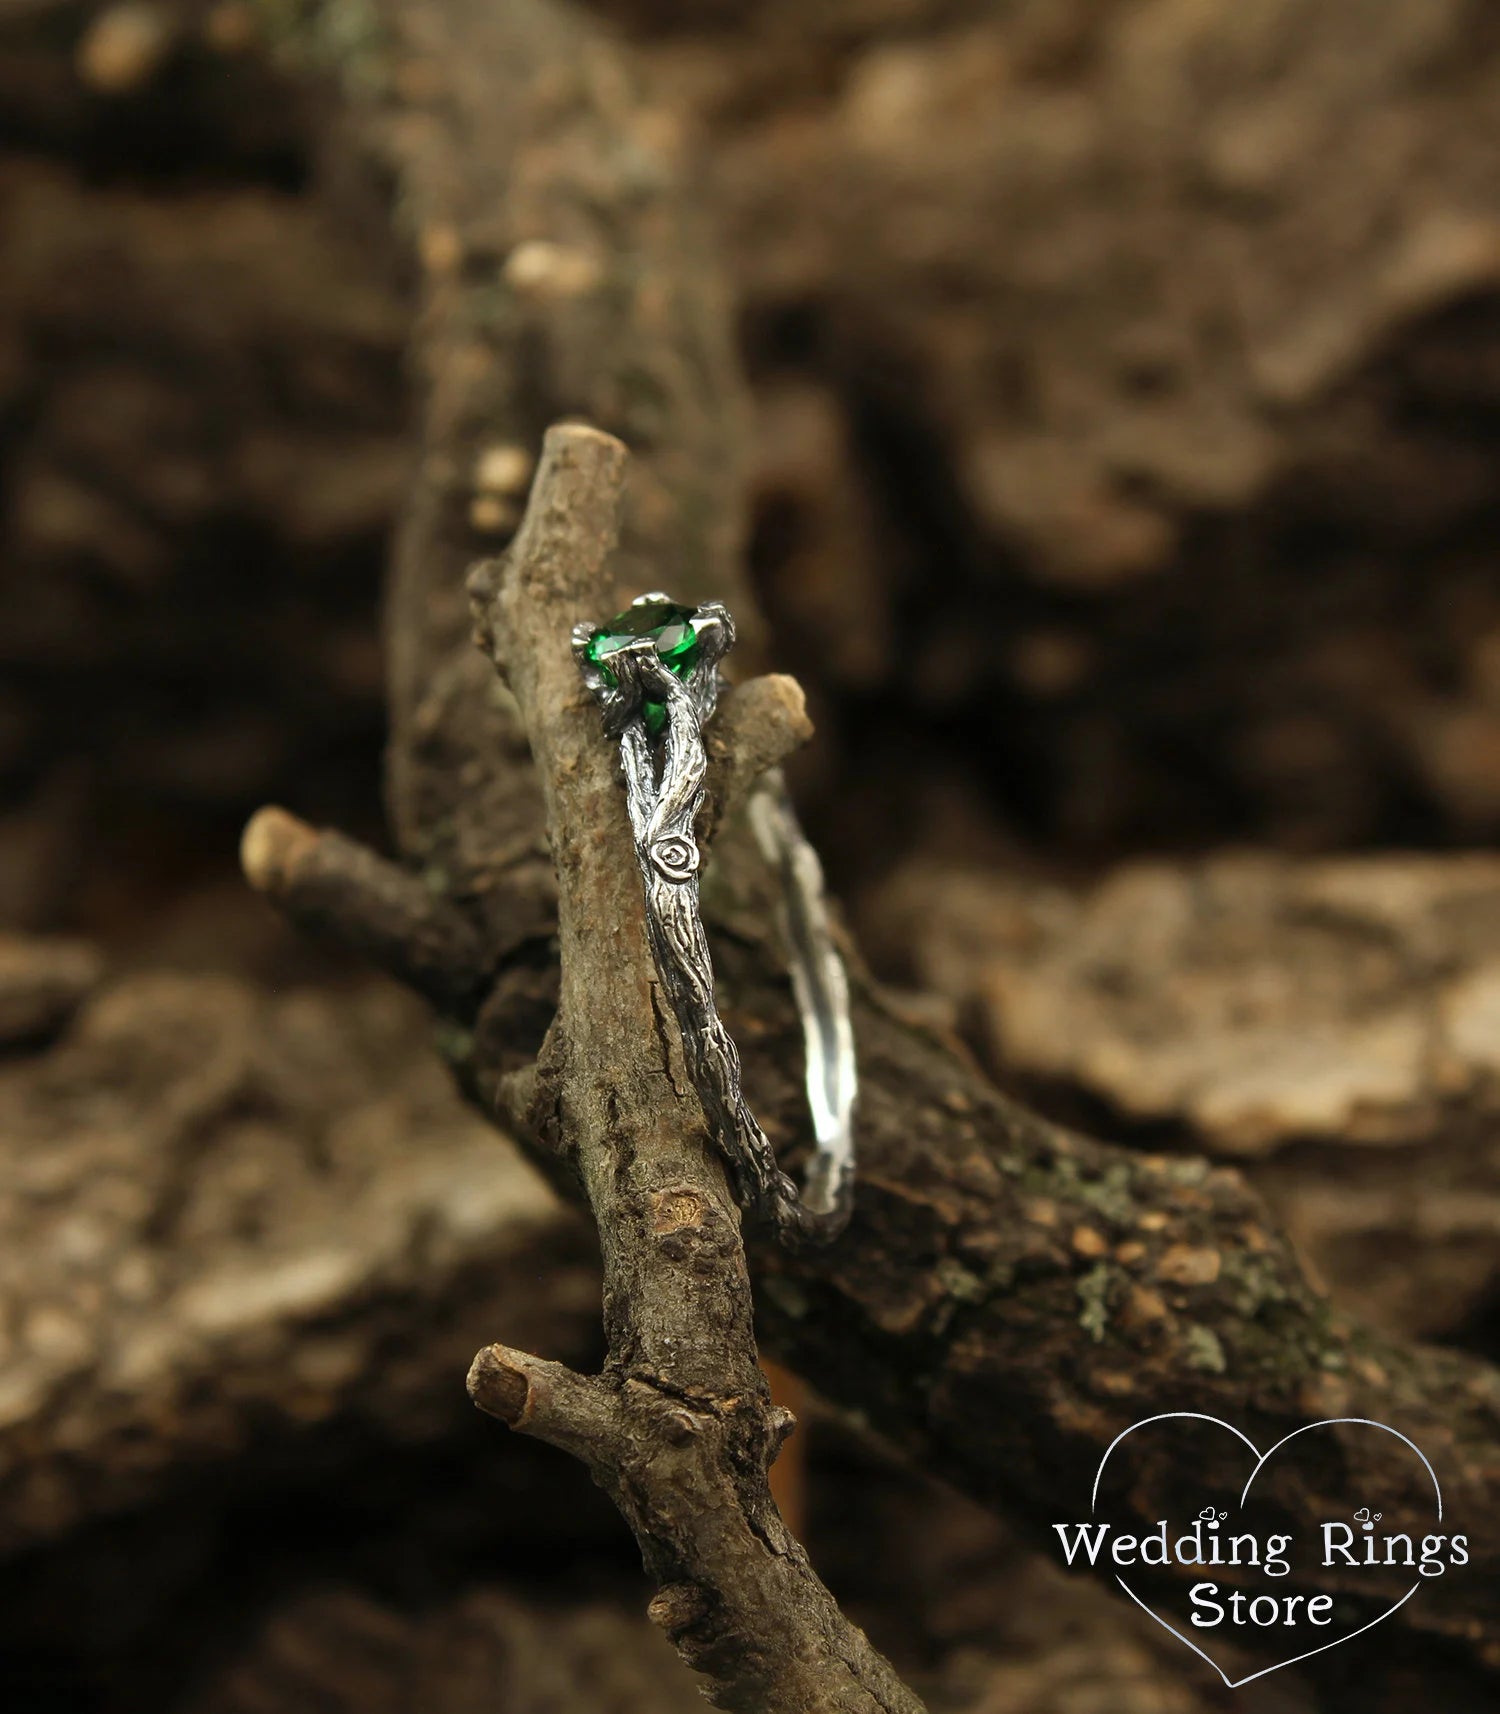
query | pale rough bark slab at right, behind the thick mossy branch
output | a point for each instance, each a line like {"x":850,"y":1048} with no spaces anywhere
{"x":1328,"y":1024}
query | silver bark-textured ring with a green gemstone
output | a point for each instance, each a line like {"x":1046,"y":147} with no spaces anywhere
{"x":654,"y":671}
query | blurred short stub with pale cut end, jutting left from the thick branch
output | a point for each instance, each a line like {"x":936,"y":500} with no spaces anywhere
{"x":344,"y":892}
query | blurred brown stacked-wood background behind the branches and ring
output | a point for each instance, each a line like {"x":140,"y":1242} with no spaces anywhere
{"x":1119,"y":452}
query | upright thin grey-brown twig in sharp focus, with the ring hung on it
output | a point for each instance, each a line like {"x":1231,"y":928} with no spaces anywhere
{"x":680,"y":1429}
